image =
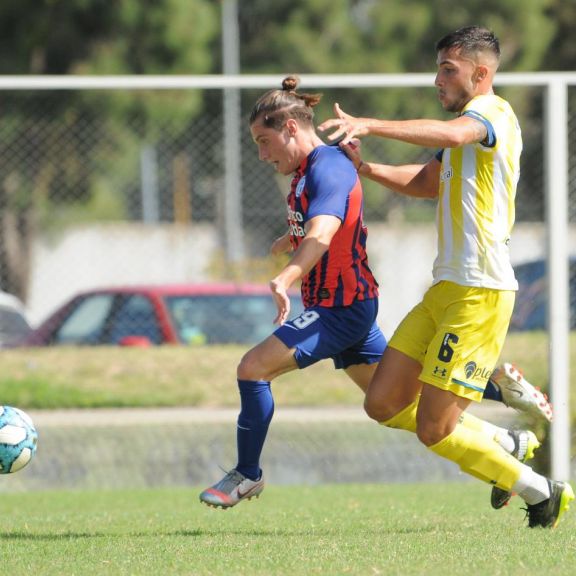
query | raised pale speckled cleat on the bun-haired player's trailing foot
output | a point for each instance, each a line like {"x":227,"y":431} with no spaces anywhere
{"x":519,"y":394}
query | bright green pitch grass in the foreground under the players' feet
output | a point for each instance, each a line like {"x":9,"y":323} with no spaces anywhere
{"x":325,"y":530}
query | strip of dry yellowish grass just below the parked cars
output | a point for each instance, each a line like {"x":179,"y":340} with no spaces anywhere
{"x":195,"y":376}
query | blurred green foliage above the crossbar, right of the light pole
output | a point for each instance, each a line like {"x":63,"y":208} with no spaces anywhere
{"x":365,"y":36}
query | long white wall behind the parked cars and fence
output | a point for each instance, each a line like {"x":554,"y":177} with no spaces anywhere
{"x":401,"y":257}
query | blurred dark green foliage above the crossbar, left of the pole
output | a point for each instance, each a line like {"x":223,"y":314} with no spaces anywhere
{"x":100,"y":37}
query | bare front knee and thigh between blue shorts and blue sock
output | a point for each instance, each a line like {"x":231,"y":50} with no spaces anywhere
{"x":267,"y":360}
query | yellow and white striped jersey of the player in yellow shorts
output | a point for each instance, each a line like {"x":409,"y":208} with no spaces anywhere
{"x":475,"y":212}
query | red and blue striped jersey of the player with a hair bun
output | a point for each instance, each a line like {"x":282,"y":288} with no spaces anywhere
{"x":327,"y":184}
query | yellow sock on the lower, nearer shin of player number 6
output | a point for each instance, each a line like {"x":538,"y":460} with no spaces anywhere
{"x":479,"y":456}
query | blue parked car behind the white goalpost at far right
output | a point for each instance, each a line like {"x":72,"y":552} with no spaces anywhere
{"x":531,"y":309}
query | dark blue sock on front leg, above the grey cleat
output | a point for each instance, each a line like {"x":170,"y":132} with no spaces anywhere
{"x":257,"y":408}
